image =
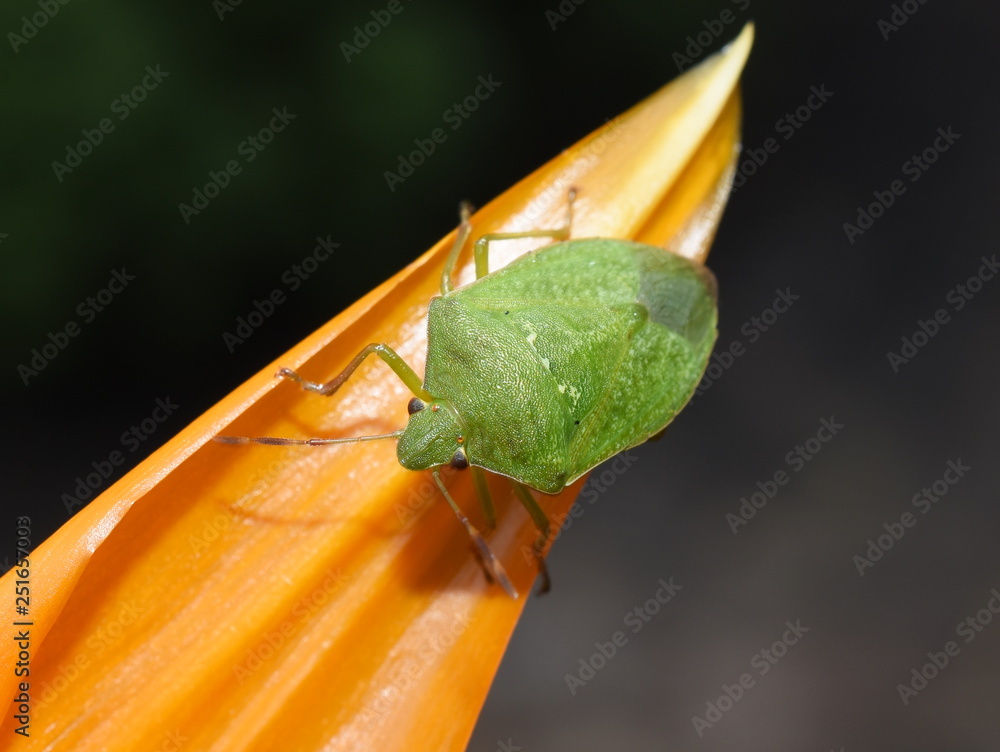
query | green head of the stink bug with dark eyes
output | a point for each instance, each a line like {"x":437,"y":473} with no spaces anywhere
{"x":432,"y":437}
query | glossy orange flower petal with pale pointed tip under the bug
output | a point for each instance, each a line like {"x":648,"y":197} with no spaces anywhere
{"x":260,"y":598}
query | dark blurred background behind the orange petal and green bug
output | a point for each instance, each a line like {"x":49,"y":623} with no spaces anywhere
{"x":892,"y":76}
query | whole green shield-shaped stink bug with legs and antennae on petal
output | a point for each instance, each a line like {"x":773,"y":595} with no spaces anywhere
{"x":545,"y":368}
